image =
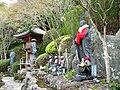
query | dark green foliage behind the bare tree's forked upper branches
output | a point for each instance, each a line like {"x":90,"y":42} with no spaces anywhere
{"x":112,"y":14}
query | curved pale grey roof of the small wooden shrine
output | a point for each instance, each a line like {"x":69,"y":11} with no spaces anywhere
{"x":35,"y":30}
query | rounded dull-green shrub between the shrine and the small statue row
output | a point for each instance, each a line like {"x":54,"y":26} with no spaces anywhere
{"x":42,"y":60}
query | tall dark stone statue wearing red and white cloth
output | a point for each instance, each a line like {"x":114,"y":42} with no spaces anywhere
{"x":83,"y":41}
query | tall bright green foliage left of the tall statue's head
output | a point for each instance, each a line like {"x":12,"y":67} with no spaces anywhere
{"x":71,"y":22}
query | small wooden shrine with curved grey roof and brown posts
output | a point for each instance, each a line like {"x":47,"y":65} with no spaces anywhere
{"x":35,"y":34}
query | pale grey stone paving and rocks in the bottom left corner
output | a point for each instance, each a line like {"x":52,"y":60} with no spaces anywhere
{"x":10,"y":84}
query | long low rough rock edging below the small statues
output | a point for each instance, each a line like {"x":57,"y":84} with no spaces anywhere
{"x":61,"y":84}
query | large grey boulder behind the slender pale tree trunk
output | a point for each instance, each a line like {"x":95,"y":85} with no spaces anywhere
{"x":113,"y":44}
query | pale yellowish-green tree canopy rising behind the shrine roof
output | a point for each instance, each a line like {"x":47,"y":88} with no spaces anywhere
{"x":24,"y":14}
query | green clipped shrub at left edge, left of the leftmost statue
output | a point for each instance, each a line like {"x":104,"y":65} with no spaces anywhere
{"x":4,"y":65}
